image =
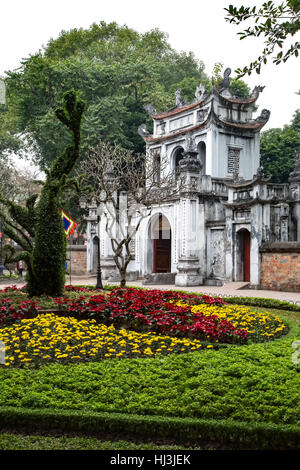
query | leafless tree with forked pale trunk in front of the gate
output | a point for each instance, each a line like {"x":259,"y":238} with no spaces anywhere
{"x":127,"y":186}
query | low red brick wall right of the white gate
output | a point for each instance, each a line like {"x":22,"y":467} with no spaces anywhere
{"x":280,"y":266}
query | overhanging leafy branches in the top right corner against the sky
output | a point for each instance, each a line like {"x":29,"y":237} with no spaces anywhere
{"x":277,"y":23}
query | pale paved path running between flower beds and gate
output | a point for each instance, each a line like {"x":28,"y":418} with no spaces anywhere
{"x":228,"y":290}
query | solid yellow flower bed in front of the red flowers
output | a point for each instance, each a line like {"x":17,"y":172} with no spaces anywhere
{"x":52,"y":339}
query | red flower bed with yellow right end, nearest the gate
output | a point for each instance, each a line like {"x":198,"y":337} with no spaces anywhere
{"x":171,"y":313}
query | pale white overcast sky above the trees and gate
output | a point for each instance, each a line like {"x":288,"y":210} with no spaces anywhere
{"x":193,"y":25}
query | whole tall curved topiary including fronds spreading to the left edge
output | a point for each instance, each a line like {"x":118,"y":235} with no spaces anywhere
{"x":37,"y":227}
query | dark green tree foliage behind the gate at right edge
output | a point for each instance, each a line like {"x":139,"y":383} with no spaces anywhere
{"x":278,"y":148}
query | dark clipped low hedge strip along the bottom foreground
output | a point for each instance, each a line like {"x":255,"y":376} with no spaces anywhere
{"x":231,"y":433}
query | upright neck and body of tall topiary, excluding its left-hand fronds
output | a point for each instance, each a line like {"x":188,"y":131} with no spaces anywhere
{"x":49,"y":252}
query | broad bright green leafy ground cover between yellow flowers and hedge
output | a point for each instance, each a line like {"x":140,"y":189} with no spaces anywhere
{"x":256,"y":383}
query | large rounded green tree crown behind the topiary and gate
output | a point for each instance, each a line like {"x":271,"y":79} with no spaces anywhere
{"x":118,"y":71}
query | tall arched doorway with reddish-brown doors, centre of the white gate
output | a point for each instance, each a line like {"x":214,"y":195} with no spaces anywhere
{"x":161,"y":234}
